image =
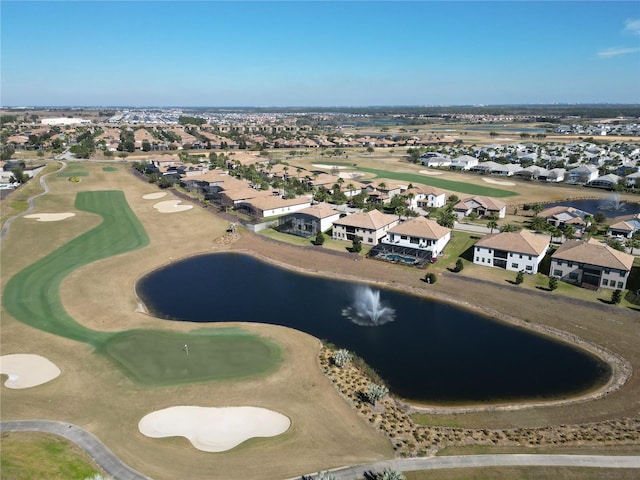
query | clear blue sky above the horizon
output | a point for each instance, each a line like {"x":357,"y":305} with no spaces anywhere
{"x":318,"y":53}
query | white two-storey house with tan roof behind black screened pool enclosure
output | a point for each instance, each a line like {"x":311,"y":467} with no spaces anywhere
{"x":419,"y":233}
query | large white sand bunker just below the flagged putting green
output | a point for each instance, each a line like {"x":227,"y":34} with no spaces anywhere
{"x":214,"y":429}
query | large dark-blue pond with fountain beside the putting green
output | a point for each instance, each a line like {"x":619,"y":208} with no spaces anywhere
{"x":426,"y":351}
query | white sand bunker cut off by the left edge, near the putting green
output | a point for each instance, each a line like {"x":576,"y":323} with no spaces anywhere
{"x":27,"y":370}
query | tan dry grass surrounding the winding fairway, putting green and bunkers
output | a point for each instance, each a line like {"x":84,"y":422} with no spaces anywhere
{"x":92,"y":394}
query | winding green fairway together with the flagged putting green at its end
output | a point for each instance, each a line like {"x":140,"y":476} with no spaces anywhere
{"x":149,"y":357}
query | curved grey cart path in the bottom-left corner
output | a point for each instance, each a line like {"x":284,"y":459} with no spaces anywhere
{"x":85,"y":440}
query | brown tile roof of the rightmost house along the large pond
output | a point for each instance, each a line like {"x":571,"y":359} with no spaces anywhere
{"x":593,"y":252}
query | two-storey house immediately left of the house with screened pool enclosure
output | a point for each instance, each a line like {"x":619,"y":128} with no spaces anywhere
{"x":371,"y":226}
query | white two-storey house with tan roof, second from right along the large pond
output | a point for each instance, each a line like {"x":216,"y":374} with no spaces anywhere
{"x":515,"y":251}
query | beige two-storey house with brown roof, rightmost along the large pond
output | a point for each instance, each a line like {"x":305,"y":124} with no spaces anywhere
{"x":591,"y":264}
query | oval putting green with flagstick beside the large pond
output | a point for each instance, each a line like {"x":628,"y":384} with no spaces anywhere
{"x":155,"y":357}
